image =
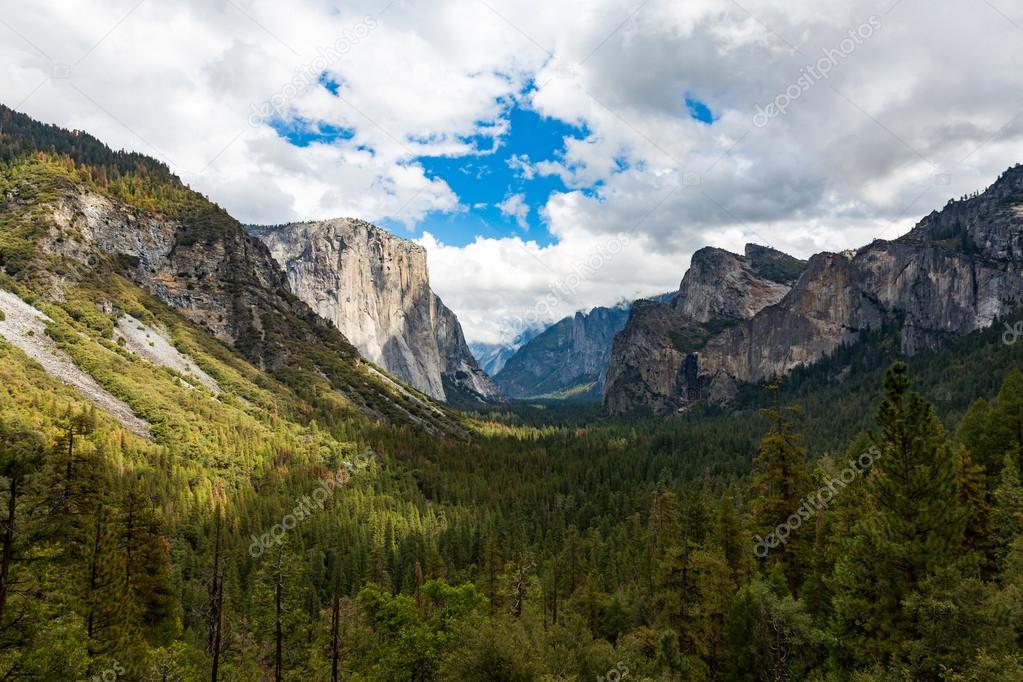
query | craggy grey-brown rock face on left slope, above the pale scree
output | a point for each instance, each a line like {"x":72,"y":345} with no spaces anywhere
{"x":206,"y":266}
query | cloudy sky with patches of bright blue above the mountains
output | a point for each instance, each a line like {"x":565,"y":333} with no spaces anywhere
{"x":551,"y":157}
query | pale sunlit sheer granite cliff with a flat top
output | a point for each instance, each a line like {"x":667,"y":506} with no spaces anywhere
{"x":375,"y":288}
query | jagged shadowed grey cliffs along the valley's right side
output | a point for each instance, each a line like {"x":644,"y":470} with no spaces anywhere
{"x":957,"y":271}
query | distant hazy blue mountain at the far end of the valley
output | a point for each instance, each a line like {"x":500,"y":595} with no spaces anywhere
{"x":567,"y":360}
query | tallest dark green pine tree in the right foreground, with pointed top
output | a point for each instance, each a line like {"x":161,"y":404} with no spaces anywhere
{"x":914,"y":526}
